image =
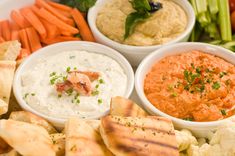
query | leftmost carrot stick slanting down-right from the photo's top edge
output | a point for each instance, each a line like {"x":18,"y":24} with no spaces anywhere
{"x":45,"y":5}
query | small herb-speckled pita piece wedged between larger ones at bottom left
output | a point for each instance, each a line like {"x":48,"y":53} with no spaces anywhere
{"x":58,"y":140}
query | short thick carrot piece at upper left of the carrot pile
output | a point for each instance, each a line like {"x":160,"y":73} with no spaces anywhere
{"x":19,"y":19}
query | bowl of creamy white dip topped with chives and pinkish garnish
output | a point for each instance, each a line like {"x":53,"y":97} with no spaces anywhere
{"x":72,"y":79}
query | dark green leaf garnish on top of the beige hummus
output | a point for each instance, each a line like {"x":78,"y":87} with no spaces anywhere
{"x":143,"y":8}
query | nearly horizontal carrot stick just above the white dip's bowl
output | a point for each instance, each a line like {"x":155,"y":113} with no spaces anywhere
{"x":59,"y":39}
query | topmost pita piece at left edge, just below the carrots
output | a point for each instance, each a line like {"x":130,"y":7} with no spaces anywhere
{"x":10,"y":50}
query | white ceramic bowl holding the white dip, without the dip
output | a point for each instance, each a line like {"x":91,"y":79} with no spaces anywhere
{"x":60,"y":47}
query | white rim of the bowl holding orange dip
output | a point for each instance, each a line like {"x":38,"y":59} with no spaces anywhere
{"x":147,"y":104}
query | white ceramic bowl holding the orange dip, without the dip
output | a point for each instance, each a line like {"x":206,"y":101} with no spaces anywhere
{"x":202,"y":129}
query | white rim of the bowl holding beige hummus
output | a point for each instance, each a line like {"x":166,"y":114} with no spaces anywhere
{"x":92,"y":23}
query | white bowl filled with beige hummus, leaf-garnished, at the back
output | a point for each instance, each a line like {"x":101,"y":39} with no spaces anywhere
{"x":171,"y":22}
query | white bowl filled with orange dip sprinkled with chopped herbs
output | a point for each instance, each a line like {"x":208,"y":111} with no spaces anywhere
{"x":190,"y":83}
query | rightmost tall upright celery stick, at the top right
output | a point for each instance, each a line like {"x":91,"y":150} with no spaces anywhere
{"x":224,"y":20}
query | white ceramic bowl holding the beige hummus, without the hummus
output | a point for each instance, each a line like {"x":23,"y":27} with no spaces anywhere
{"x":136,"y":53}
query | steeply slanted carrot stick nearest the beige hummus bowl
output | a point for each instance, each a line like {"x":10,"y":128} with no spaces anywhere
{"x":82,"y":26}
